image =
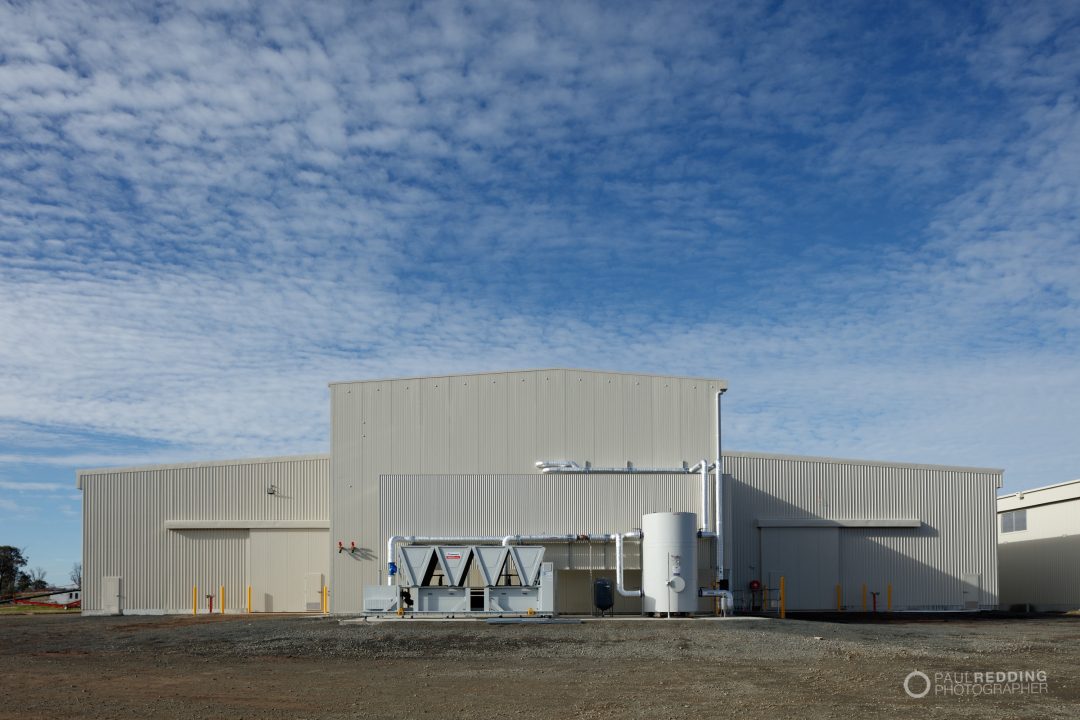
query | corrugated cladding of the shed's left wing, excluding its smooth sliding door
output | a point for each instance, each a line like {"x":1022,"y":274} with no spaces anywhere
{"x":126,"y":512}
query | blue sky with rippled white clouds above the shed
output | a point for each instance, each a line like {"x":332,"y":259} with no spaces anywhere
{"x":863,"y":216}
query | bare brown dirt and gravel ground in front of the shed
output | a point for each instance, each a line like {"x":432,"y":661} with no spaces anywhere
{"x":253,"y":667}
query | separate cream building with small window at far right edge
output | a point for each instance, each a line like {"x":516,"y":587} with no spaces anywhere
{"x":1039,"y":548}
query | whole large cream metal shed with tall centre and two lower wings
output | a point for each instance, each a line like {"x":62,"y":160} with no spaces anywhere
{"x":457,"y":457}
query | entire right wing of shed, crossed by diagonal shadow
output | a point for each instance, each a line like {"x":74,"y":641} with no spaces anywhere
{"x":921,"y":537}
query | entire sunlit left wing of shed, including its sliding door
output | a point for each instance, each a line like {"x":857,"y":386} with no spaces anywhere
{"x":154,"y":537}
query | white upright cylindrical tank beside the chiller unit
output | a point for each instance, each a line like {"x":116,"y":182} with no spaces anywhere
{"x":670,"y":563}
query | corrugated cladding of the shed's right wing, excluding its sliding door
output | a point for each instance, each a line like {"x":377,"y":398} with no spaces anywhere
{"x":926,"y":566}
